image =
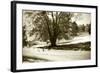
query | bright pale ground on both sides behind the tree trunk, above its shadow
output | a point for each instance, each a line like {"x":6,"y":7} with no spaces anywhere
{"x":78,"y":39}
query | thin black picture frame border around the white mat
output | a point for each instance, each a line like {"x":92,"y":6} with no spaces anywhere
{"x":14,"y":35}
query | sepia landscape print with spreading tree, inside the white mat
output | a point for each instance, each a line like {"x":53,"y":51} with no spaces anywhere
{"x":55,"y":36}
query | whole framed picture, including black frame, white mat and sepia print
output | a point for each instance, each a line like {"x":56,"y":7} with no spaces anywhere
{"x":47,"y":36}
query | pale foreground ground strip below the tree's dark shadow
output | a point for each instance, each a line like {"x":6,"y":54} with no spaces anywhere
{"x":57,"y":55}
